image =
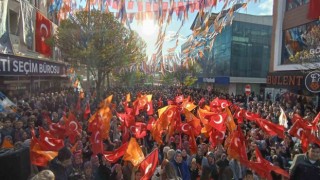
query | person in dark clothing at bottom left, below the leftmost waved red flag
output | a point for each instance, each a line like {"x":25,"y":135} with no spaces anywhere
{"x":61,"y":165}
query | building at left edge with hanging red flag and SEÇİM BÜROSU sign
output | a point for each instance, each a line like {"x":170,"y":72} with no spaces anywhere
{"x":28,"y":63}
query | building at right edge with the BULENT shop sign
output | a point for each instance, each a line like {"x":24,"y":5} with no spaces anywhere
{"x":295,"y":51}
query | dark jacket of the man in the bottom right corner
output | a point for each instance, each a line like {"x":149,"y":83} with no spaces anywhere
{"x":302,"y":168}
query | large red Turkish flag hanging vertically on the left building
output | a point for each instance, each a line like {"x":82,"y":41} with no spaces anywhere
{"x":43,"y":32}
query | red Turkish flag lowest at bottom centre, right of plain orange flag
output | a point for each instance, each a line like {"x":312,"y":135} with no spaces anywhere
{"x":149,"y":164}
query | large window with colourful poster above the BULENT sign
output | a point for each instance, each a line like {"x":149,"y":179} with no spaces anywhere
{"x":301,"y":44}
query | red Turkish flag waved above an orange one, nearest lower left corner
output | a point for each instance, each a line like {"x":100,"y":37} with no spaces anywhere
{"x":48,"y":142}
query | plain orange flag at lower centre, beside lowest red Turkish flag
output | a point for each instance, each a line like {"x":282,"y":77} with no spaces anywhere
{"x":133,"y":153}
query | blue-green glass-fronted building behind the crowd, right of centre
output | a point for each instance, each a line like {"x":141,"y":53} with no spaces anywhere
{"x":240,"y":55}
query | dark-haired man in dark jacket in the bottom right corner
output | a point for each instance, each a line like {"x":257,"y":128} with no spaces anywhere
{"x":306,"y":166}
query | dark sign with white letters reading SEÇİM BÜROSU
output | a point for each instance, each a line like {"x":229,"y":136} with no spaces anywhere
{"x":13,"y":65}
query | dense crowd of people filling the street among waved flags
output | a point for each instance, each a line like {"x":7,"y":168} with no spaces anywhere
{"x":176,"y":160}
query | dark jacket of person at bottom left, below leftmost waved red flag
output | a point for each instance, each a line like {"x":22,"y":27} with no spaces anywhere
{"x":59,"y":171}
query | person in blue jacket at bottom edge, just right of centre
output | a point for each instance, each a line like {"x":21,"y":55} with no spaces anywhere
{"x":181,"y":166}
